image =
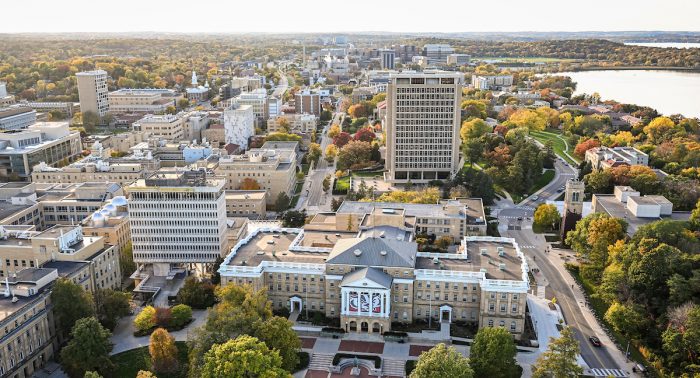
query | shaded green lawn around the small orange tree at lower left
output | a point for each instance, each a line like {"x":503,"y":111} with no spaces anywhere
{"x":127,"y":364}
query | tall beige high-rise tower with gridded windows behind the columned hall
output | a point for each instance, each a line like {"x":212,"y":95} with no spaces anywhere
{"x":423,"y":121}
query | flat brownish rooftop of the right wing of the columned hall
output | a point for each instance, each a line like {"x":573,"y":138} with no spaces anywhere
{"x":476,"y":261}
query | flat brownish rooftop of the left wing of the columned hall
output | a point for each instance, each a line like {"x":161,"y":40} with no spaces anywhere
{"x":269,"y":246}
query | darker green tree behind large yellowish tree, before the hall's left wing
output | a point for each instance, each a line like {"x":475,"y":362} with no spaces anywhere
{"x":277,"y":334}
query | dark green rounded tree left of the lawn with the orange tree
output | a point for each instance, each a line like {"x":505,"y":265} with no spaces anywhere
{"x":88,"y":349}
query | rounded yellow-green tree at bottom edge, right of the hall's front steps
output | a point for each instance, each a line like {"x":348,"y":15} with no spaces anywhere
{"x":442,"y":362}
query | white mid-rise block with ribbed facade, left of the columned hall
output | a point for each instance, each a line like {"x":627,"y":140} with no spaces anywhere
{"x":177,"y":218}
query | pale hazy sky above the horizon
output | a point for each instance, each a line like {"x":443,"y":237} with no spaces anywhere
{"x":346,"y":16}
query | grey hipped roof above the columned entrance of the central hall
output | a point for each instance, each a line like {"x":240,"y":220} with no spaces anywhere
{"x":374,"y":252}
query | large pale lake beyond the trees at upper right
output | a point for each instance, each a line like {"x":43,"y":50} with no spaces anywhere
{"x":669,"y":92}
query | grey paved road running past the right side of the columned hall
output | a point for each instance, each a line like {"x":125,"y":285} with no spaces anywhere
{"x":515,"y":221}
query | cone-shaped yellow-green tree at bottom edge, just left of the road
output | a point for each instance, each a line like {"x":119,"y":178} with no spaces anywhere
{"x":560,"y":359}
